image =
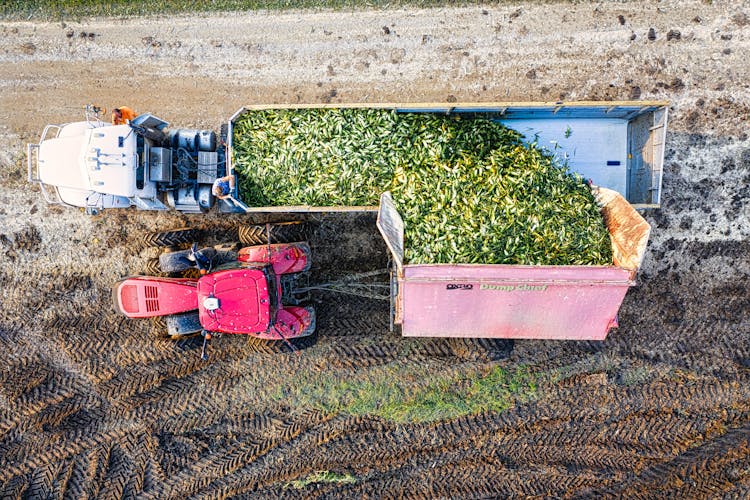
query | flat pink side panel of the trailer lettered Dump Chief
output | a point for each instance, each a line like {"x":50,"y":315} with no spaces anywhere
{"x":544,"y":302}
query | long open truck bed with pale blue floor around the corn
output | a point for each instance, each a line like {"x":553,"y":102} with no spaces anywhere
{"x":618,"y":145}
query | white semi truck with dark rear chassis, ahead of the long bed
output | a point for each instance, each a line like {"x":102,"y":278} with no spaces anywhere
{"x":95,"y":165}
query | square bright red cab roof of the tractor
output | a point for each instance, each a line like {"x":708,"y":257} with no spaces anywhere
{"x":244,"y":303}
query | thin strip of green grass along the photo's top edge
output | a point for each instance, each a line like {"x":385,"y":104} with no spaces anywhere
{"x":74,"y":9}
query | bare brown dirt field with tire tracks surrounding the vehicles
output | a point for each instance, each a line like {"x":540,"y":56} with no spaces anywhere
{"x":94,"y":405}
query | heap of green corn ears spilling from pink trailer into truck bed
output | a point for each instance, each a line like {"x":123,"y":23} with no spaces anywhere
{"x":469,"y":190}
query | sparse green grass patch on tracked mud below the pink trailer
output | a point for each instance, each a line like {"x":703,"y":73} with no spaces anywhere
{"x":404,"y":395}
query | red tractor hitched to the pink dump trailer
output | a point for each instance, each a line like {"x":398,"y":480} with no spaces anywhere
{"x":251,"y":294}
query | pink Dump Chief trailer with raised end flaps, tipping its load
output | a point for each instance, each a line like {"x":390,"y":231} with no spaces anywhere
{"x":512,"y":301}
